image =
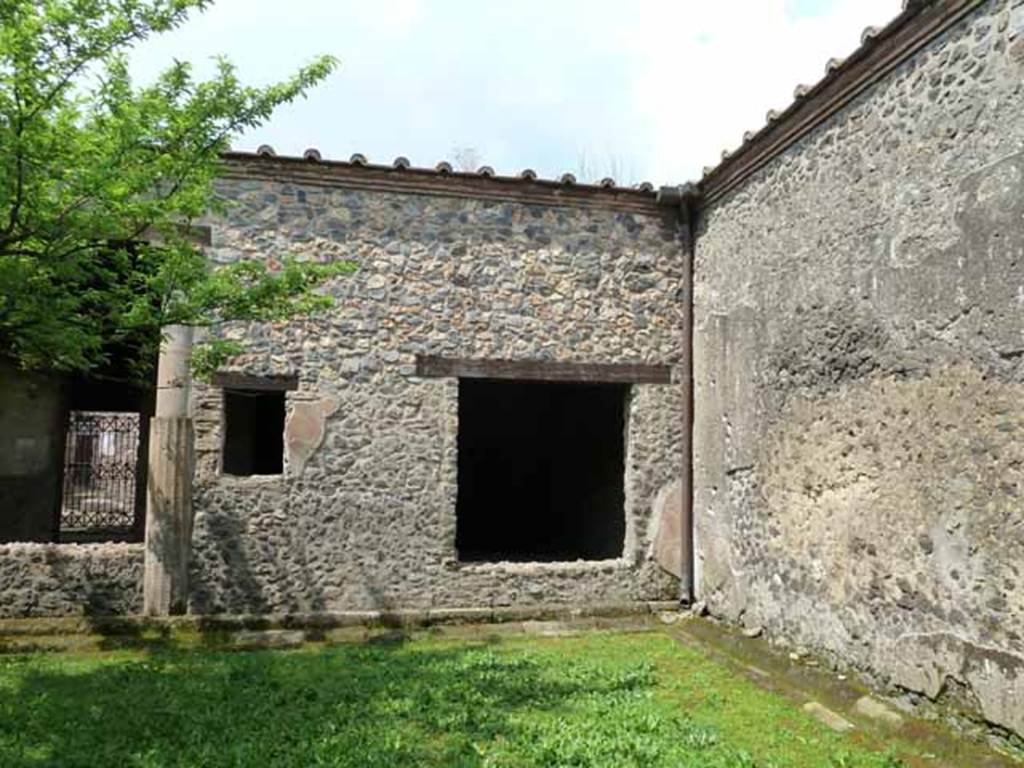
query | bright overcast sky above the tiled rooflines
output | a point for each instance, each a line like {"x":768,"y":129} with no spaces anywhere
{"x":651,"y":90}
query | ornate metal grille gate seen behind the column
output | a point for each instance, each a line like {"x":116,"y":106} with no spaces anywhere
{"x":101,"y":472}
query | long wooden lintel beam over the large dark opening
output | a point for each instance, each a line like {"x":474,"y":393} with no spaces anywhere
{"x":598,"y":373}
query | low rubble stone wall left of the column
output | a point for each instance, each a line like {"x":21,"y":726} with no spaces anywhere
{"x":70,"y":580}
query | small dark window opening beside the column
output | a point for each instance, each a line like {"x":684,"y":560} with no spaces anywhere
{"x":254,"y":433}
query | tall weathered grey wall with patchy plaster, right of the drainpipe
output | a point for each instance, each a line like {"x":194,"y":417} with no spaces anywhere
{"x":860,"y":394}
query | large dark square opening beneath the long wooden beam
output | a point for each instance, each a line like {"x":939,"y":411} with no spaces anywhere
{"x":541,"y":471}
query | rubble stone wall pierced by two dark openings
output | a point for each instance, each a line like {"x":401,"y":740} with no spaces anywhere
{"x":364,"y":516}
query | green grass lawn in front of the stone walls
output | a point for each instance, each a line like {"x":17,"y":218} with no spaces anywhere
{"x":598,"y":700}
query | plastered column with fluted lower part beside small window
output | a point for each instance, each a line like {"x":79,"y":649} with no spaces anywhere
{"x":169,"y":508}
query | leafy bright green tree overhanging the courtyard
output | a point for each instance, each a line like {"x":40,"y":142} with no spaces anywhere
{"x":100,"y":184}
